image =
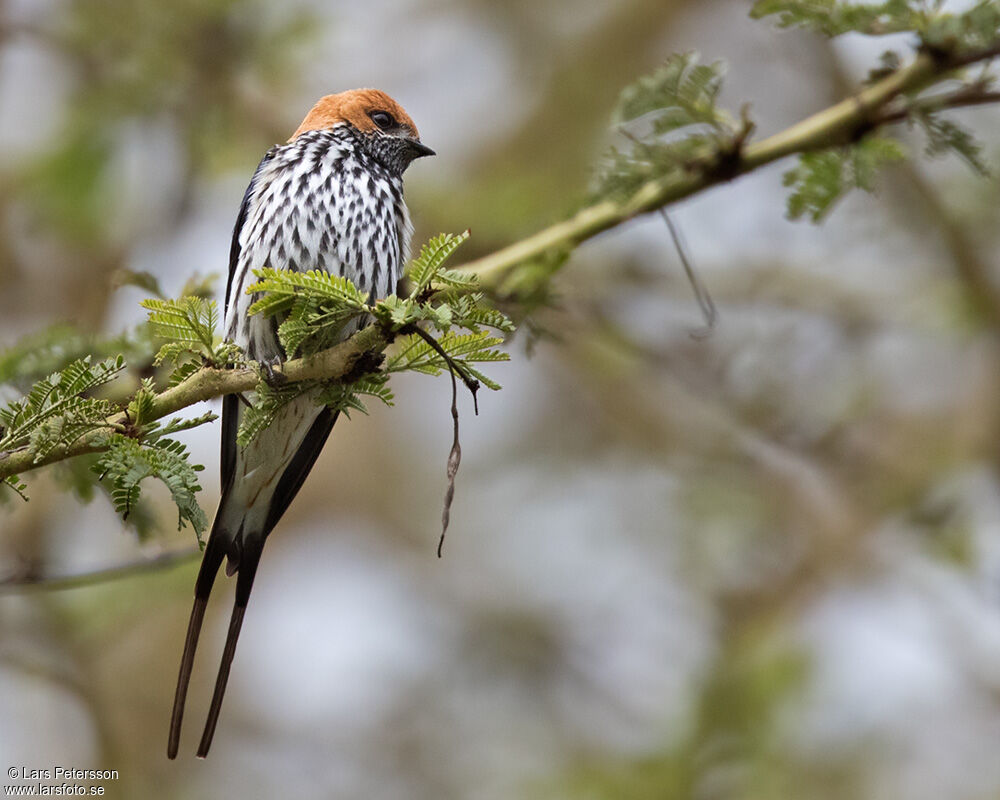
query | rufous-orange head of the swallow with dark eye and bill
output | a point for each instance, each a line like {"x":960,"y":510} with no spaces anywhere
{"x":382,"y":121}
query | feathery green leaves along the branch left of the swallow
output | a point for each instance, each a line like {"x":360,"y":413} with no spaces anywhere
{"x":73,"y":402}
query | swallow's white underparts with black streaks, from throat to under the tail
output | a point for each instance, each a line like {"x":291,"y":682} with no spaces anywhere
{"x":322,"y":201}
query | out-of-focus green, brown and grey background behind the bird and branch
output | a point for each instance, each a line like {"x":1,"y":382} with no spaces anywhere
{"x":761,"y":564}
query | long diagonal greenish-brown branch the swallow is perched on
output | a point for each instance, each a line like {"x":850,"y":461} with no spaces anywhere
{"x":835,"y":126}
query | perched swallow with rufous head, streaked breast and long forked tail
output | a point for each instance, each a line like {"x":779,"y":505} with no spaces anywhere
{"x":330,"y":198}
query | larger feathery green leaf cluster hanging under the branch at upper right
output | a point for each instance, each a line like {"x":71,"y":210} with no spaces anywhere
{"x":820,"y":179}
